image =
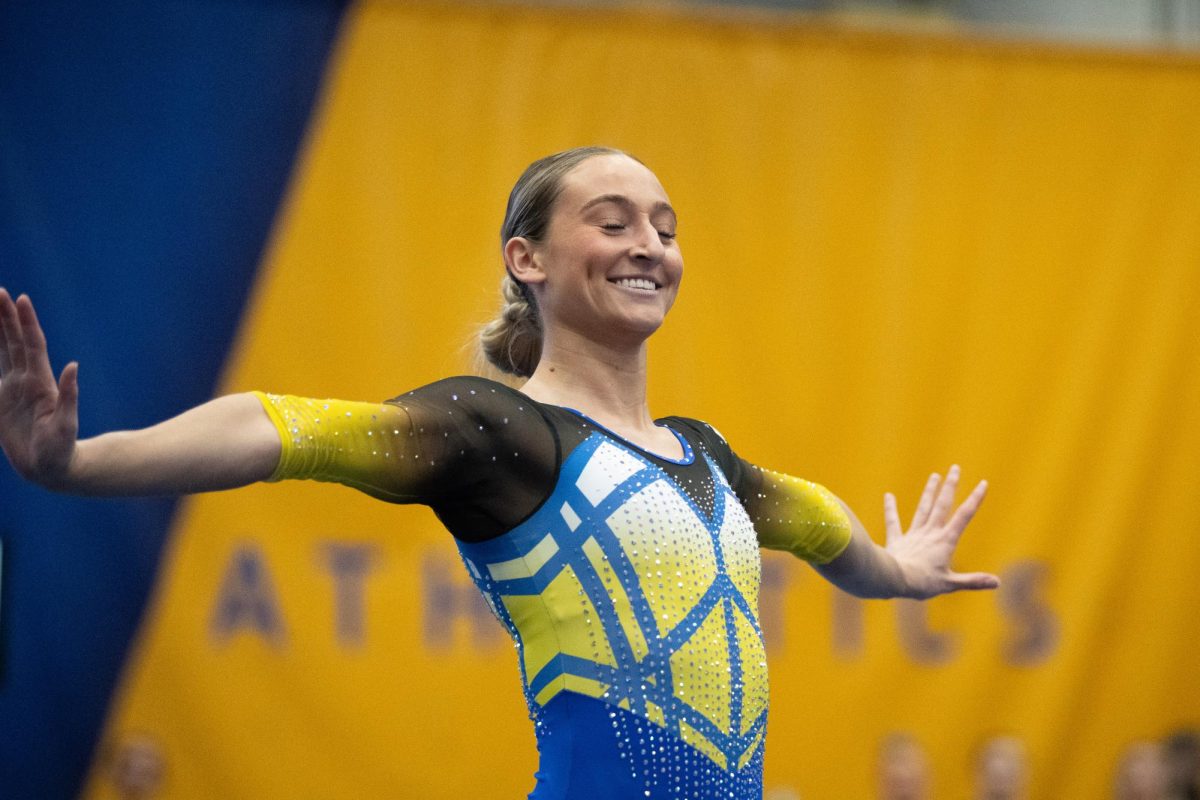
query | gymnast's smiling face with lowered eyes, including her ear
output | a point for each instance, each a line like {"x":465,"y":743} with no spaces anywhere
{"x":609,"y":267}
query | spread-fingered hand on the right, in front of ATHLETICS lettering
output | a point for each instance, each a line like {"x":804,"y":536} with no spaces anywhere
{"x":923,"y":554}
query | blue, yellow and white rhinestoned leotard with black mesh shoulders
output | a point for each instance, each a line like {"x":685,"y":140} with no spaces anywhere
{"x":628,"y":581}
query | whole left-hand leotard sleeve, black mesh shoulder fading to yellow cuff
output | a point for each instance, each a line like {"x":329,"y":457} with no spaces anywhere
{"x":479,"y":454}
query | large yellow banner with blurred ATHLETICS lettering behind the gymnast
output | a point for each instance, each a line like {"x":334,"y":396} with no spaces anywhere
{"x":903,"y":252}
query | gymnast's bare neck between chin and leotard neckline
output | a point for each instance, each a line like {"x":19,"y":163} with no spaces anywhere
{"x":604,"y":381}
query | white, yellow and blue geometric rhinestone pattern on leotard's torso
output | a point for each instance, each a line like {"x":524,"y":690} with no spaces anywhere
{"x":623,"y":591}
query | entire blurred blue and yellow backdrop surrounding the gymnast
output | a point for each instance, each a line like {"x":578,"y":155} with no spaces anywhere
{"x":916,"y":233}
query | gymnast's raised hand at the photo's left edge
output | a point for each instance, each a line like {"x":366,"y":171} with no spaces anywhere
{"x":39,"y":416}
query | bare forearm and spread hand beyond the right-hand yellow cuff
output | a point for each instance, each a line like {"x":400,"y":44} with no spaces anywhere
{"x":915,"y":563}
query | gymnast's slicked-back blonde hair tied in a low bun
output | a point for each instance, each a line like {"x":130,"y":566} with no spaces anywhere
{"x":513,"y":341}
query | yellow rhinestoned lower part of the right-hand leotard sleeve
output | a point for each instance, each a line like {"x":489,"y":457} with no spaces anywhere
{"x":801,"y":518}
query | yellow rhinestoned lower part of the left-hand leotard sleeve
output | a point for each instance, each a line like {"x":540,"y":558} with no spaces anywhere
{"x":363,"y":446}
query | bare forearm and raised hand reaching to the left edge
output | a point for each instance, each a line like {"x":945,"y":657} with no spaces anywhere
{"x":223,"y":444}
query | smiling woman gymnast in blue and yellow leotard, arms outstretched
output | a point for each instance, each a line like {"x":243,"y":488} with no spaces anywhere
{"x":620,"y":551}
